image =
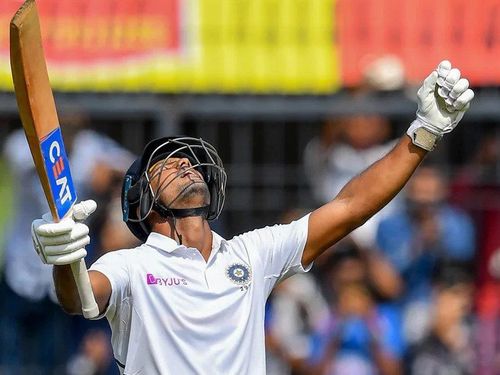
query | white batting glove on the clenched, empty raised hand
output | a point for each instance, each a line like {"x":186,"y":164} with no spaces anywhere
{"x":443,"y":100}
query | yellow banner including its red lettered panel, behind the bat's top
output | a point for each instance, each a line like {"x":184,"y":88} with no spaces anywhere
{"x":174,"y":46}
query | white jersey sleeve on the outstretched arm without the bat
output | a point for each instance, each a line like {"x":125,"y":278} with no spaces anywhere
{"x":279,"y":248}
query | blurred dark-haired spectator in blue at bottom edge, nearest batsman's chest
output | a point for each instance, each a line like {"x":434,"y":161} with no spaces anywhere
{"x":362,"y":333}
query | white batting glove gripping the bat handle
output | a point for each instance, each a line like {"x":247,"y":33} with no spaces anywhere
{"x":63,"y":242}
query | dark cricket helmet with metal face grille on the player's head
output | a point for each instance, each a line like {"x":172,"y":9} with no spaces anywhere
{"x":139,"y":199}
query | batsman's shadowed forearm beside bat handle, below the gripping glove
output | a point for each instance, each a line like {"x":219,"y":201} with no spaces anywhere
{"x":66,"y":290}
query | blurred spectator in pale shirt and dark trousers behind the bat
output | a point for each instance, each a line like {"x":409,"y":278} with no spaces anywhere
{"x":29,"y":313}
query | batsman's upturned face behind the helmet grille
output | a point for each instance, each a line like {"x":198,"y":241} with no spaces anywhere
{"x":177,"y":184}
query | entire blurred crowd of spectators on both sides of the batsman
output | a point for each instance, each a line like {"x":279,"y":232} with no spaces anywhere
{"x":413,"y":291}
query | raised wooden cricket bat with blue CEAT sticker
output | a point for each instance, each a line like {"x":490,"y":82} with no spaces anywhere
{"x":39,"y":117}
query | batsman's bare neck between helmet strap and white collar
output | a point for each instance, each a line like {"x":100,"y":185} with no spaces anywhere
{"x":194,"y":231}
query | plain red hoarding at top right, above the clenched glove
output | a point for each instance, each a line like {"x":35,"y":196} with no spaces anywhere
{"x":421,"y":33}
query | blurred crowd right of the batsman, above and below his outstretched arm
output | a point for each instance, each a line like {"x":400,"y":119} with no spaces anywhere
{"x":413,"y":291}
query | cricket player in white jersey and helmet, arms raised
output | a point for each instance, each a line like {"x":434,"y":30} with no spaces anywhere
{"x":188,"y":301}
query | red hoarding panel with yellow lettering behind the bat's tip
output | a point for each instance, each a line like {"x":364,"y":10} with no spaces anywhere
{"x":86,"y":31}
